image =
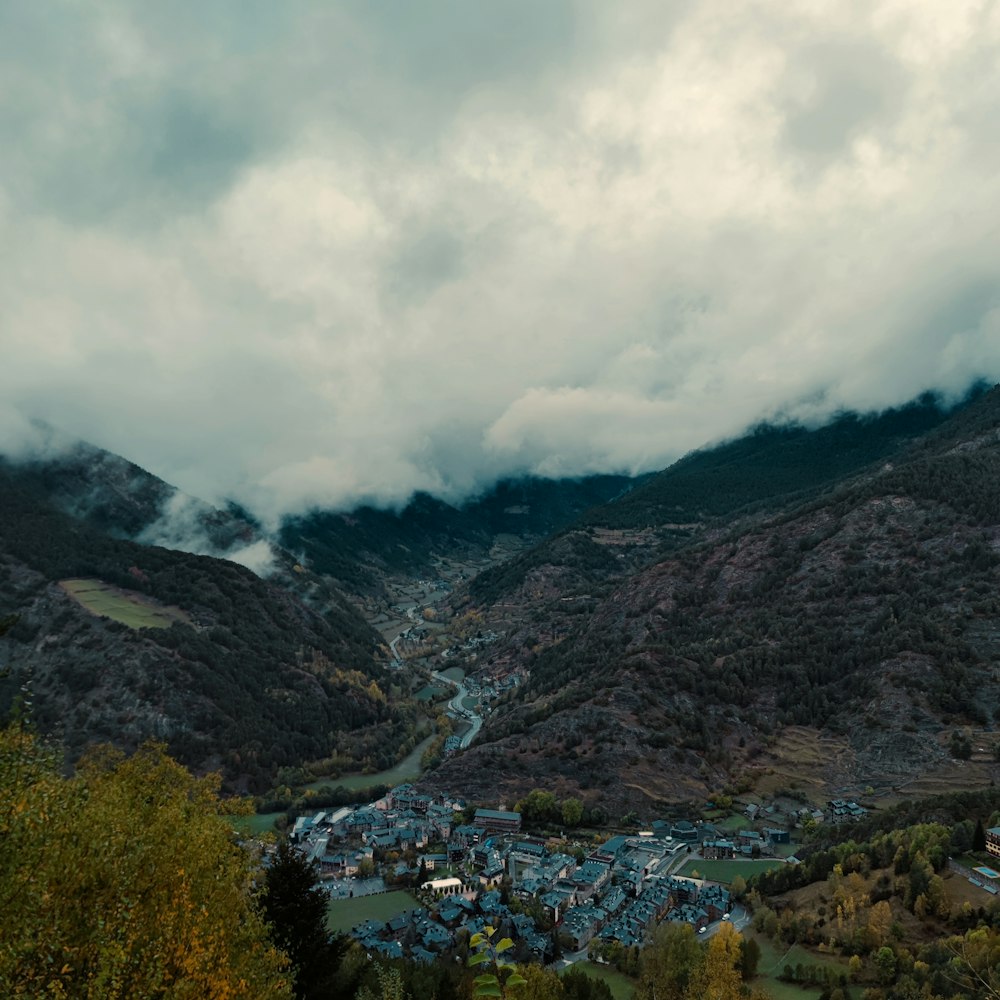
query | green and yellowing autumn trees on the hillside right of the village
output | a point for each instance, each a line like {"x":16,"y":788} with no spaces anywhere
{"x":884,"y":904}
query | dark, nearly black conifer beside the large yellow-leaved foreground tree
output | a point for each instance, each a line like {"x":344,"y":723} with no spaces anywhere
{"x":295,"y":907}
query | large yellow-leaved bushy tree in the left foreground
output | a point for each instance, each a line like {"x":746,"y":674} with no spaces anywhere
{"x":124,"y":881}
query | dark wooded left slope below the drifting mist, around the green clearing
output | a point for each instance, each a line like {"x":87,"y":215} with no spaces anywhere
{"x":249,"y":677}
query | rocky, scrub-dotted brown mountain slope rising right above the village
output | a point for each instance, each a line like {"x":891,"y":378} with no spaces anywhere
{"x":870,"y":613}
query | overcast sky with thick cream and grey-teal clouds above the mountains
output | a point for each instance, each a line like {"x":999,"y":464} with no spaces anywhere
{"x":312,"y":254}
